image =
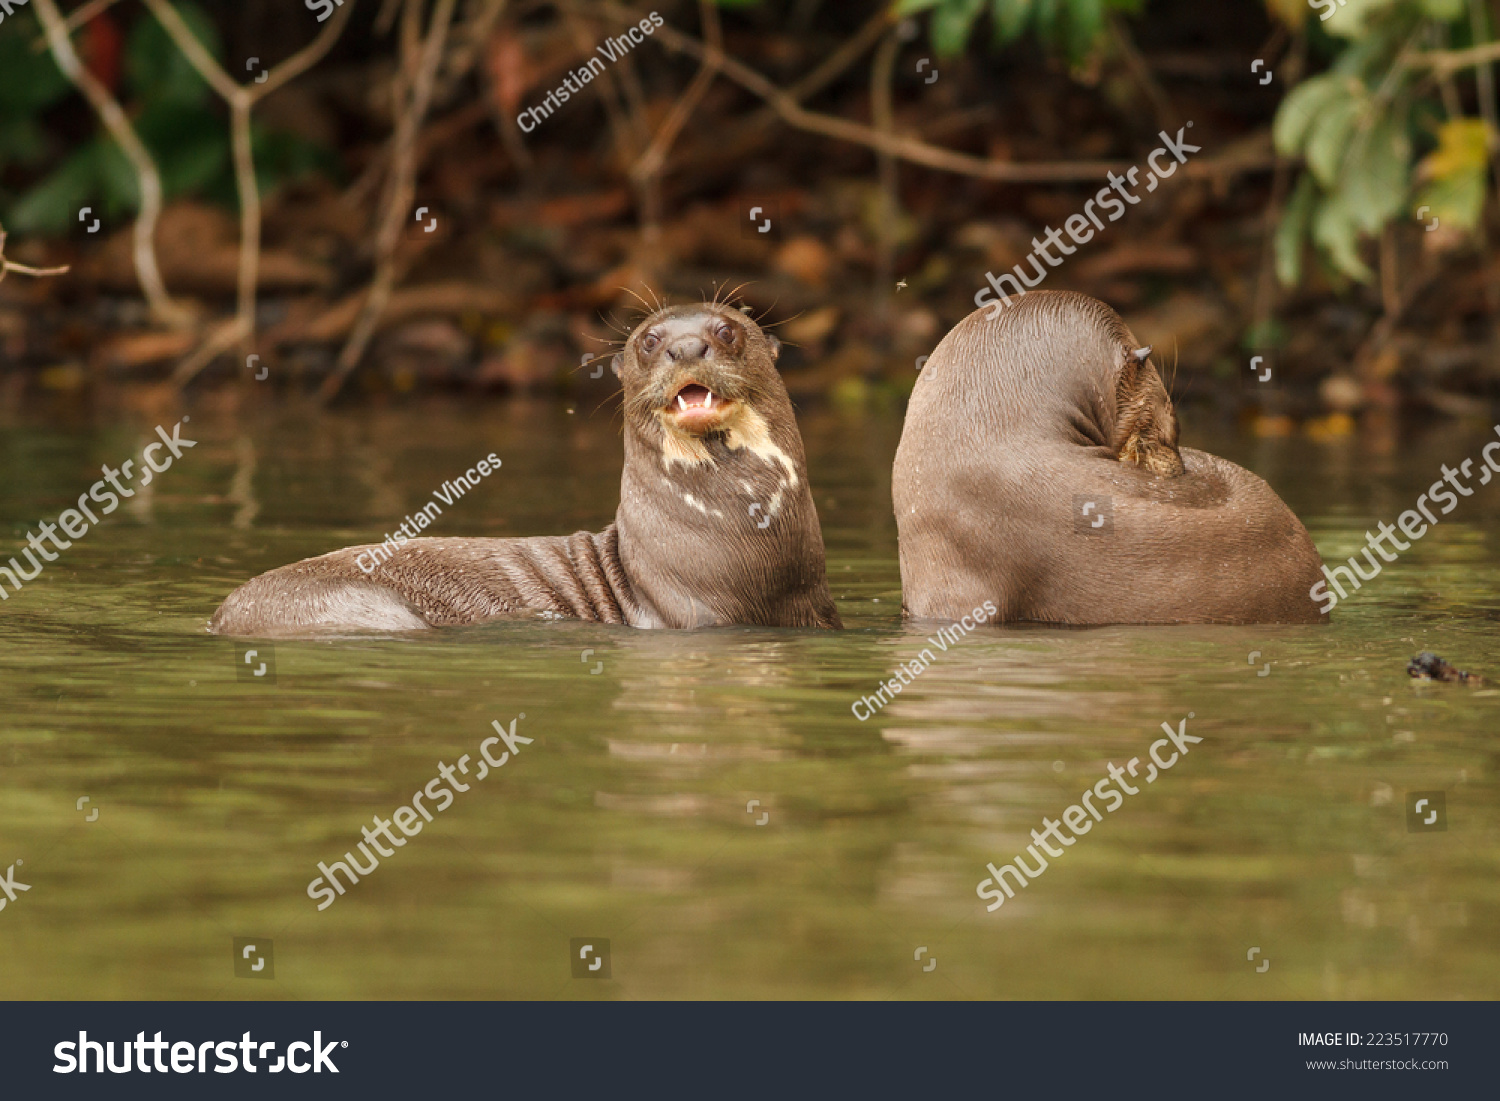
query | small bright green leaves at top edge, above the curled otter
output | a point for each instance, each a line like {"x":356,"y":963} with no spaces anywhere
{"x":1069,"y":28}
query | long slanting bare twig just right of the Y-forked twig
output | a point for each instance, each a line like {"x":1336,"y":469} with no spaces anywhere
{"x":412,"y":109}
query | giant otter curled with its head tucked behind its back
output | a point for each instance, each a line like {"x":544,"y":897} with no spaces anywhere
{"x":1040,"y":469}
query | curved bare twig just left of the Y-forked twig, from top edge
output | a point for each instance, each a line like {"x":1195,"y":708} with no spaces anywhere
{"x":149,"y":179}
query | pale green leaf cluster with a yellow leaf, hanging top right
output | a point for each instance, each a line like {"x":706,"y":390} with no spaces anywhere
{"x":1358,"y":127}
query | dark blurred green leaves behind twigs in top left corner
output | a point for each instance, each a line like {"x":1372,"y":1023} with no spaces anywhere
{"x":173,"y":110}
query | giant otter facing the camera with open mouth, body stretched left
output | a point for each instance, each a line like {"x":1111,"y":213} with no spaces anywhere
{"x":716,"y":523}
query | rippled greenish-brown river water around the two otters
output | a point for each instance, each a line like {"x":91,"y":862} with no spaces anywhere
{"x":706,"y":800}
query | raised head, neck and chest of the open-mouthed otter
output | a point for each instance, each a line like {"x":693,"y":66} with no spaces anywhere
{"x":716,"y":520}
